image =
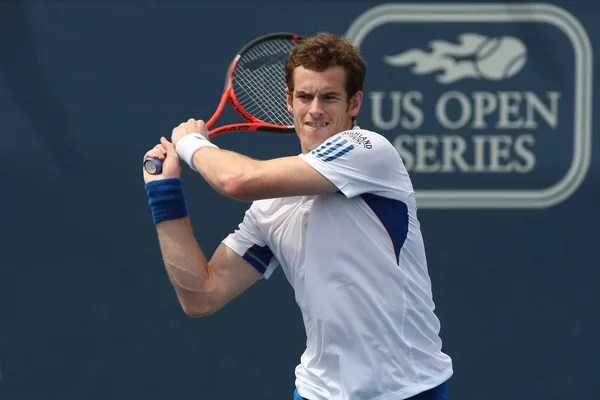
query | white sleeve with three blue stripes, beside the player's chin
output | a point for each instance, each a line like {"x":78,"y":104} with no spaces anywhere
{"x":360,"y":161}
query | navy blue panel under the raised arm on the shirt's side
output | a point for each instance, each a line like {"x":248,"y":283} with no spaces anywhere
{"x":393,"y":214}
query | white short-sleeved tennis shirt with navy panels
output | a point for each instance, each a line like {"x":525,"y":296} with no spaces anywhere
{"x":356,"y":261}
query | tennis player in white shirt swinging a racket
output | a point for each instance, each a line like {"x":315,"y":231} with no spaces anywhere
{"x":340,"y":219}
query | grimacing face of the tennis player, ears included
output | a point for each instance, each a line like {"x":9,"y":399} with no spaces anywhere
{"x":320,"y":105}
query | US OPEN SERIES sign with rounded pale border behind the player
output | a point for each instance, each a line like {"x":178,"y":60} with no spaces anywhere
{"x":484,"y":112}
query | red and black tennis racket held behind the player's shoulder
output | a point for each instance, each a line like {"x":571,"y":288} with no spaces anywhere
{"x":255,"y":87}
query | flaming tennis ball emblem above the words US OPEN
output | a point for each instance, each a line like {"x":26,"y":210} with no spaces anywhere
{"x":476,"y":56}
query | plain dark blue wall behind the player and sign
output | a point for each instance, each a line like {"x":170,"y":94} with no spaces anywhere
{"x":86,"y":310}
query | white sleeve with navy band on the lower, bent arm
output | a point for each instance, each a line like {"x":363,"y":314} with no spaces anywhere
{"x":247,"y":242}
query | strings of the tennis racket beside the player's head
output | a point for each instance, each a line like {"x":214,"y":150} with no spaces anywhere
{"x":259,"y":81}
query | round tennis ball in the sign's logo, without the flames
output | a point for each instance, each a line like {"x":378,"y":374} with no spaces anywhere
{"x":500,"y":58}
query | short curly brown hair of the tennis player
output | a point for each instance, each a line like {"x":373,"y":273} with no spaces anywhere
{"x":323,"y":51}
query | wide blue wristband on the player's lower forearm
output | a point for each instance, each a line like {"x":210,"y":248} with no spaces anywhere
{"x":166,"y":199}
